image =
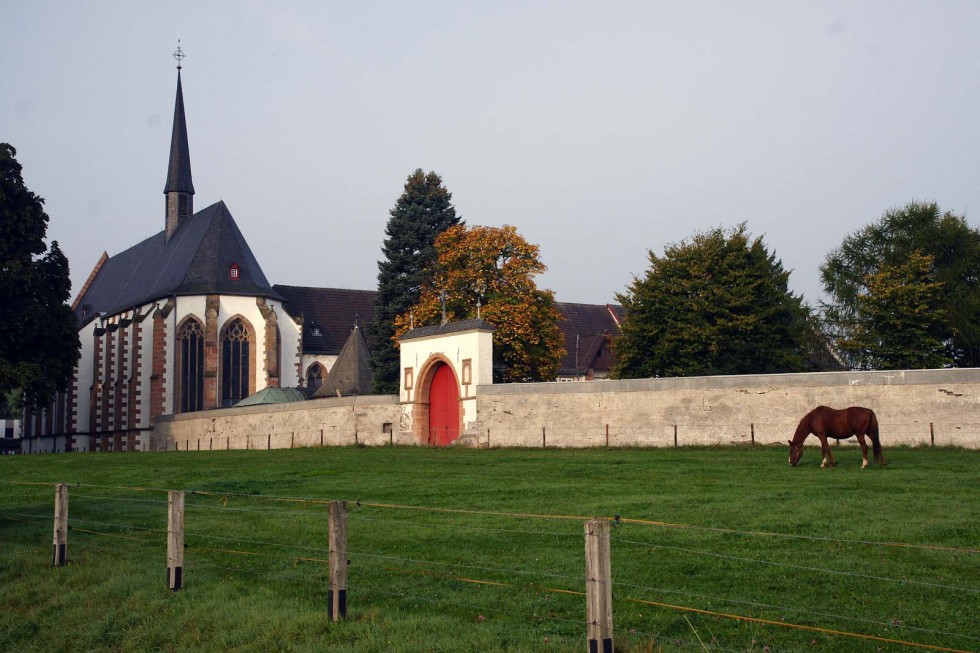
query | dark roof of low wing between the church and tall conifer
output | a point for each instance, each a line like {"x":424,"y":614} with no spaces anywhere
{"x":332,"y":311}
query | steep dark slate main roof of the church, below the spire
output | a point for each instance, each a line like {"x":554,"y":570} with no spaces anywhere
{"x":195,"y":261}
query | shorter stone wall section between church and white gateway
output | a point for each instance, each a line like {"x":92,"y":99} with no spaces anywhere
{"x":334,"y":421}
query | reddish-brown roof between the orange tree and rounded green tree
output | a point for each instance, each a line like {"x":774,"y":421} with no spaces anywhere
{"x":588,"y":330}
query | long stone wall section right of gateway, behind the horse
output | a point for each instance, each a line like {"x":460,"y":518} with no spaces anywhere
{"x":726,"y":410}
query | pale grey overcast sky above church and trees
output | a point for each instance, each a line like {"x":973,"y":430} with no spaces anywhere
{"x":601,"y":130}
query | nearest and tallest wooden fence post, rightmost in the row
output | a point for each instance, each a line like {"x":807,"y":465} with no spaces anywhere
{"x":598,"y":587}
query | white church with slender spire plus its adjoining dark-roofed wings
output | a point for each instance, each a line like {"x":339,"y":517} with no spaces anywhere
{"x":186,"y":321}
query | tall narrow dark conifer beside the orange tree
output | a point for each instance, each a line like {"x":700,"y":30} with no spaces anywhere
{"x":423,"y":211}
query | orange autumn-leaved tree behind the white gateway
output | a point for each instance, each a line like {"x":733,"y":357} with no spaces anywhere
{"x":491,"y":270}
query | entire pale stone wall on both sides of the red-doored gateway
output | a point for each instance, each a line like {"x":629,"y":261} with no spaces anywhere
{"x":914,"y":407}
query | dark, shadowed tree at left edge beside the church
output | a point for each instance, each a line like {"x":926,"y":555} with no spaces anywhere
{"x":39,"y":345}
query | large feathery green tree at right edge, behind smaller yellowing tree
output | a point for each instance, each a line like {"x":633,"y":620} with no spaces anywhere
{"x":954,"y":249}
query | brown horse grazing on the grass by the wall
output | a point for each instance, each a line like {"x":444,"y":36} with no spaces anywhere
{"x":827,"y":422}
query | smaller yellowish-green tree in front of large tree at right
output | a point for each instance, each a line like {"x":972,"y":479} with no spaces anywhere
{"x":901,"y":322}
